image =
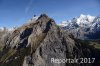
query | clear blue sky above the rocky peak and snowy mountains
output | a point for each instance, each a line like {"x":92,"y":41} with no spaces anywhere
{"x":17,"y":12}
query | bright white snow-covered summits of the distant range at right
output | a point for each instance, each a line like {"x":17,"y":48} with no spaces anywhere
{"x":81,"y":21}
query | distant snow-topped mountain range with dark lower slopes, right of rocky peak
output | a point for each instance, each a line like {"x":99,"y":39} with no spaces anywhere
{"x":83,"y":27}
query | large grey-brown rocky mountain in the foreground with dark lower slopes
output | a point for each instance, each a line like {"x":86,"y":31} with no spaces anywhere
{"x":42,"y":43}
